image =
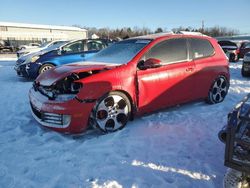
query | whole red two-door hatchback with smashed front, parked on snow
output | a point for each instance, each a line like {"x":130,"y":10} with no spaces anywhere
{"x":130,"y":78}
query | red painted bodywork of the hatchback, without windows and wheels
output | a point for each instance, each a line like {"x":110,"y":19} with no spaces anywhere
{"x":148,"y":90}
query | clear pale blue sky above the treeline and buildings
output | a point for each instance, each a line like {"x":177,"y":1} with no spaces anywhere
{"x":129,"y":13}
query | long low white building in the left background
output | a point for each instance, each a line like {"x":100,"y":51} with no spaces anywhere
{"x":21,"y":33}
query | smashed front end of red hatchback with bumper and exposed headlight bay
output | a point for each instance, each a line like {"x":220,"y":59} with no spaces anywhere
{"x":53,"y":106}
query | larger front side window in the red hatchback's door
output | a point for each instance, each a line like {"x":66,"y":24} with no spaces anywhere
{"x":169,"y":51}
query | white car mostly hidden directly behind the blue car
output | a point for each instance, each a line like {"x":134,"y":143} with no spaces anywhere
{"x":39,"y":48}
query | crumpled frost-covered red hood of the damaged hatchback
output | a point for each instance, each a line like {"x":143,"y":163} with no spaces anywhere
{"x":55,"y":74}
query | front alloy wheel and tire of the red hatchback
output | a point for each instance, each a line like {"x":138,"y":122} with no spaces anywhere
{"x":111,"y":112}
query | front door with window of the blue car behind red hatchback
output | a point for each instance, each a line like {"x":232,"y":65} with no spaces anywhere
{"x":72,"y":52}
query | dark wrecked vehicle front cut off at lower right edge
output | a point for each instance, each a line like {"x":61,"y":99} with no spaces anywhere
{"x":237,"y":137}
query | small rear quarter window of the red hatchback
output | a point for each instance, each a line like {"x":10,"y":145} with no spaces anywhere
{"x":200,"y":48}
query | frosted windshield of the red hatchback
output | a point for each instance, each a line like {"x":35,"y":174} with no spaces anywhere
{"x":120,"y":52}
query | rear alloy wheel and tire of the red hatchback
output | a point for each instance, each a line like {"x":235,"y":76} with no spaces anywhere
{"x":218,"y":90}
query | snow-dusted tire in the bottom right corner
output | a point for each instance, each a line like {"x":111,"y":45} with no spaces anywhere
{"x":235,"y":179}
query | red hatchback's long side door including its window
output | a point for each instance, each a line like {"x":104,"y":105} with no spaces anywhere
{"x":169,"y":84}
